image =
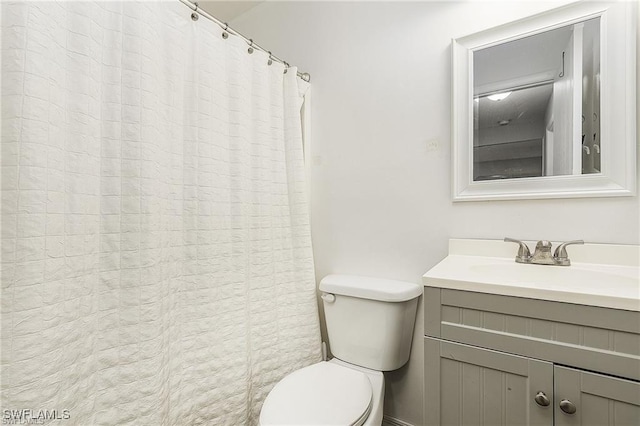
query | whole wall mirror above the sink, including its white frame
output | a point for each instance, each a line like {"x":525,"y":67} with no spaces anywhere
{"x":545,"y":107}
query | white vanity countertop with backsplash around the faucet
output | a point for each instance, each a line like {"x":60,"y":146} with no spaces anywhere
{"x":488,"y":266}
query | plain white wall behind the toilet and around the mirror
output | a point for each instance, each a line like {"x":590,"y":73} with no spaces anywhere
{"x":381,"y":198}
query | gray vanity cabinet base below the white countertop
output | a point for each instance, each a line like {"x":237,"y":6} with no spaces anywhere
{"x":503,"y":360}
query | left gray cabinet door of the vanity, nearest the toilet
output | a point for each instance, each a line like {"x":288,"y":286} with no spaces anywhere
{"x":466,"y":385}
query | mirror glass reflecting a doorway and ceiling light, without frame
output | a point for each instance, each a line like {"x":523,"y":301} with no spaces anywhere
{"x":537,"y":105}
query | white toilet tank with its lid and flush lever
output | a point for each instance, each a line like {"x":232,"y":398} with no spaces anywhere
{"x":370,"y":320}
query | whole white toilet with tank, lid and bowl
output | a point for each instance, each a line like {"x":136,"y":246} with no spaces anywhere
{"x":370,"y":326}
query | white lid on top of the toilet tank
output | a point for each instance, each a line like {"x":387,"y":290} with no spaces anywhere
{"x":370,"y":288}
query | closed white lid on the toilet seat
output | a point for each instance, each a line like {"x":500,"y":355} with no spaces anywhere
{"x":320,"y":394}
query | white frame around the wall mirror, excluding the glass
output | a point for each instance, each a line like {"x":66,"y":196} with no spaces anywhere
{"x":617,"y":108}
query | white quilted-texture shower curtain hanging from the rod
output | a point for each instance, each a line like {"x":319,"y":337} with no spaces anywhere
{"x":156,"y":253}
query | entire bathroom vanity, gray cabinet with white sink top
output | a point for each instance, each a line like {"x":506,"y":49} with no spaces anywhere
{"x":510,"y":344}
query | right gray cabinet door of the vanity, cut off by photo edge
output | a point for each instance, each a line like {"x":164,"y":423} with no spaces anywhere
{"x":598,"y":400}
